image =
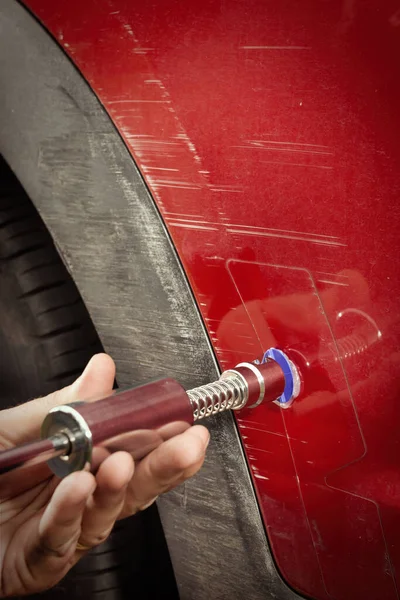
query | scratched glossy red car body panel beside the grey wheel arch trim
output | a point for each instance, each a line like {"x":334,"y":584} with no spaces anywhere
{"x":268,"y":135}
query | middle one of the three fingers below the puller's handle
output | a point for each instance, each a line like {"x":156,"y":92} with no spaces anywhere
{"x":104,"y":507}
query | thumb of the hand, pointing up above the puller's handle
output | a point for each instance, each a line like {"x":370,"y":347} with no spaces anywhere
{"x":22,"y":423}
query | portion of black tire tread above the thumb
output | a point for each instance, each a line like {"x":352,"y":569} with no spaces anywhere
{"x":46,"y":334}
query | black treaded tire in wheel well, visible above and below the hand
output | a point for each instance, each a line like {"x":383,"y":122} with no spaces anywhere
{"x":46,"y":339}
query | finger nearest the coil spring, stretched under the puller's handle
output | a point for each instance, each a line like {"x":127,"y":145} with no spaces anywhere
{"x":172,"y":462}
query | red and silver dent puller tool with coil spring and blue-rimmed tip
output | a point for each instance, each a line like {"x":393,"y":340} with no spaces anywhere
{"x":140,"y":418}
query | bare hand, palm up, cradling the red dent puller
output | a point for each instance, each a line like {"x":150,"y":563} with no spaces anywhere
{"x":42,"y":518}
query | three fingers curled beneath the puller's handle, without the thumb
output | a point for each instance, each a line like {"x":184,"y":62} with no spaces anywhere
{"x":85,"y":509}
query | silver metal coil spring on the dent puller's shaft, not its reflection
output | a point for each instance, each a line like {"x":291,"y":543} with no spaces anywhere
{"x":217,"y":397}
